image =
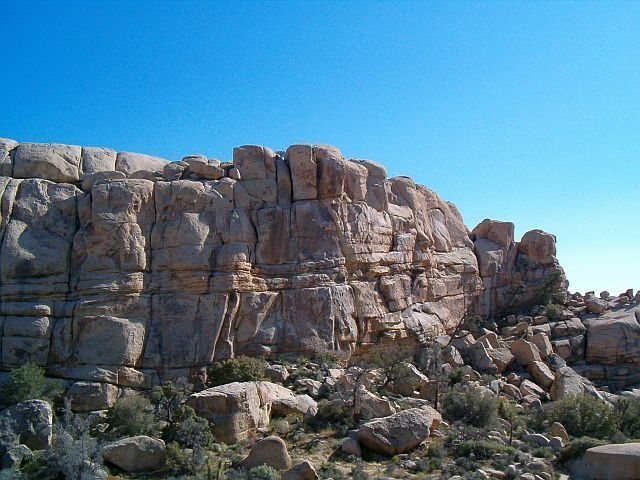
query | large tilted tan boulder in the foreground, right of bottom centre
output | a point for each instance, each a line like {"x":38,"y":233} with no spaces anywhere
{"x":400,"y":432}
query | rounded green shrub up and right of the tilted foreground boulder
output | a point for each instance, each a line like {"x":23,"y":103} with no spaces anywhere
{"x":470,"y":404}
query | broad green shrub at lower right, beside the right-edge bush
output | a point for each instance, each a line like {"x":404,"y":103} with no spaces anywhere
{"x":582,"y":415}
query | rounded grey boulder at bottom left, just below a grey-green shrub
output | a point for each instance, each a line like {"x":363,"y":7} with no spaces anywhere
{"x":135,"y":454}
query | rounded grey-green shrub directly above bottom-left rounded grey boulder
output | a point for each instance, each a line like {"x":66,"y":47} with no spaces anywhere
{"x":132,"y":415}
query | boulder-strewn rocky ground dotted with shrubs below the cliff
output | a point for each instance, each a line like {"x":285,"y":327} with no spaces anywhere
{"x":483,"y":402}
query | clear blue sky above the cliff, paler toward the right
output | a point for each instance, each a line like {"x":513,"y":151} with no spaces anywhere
{"x":528,"y":112}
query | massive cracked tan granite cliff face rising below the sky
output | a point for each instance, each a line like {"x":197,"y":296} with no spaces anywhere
{"x":127,"y":269}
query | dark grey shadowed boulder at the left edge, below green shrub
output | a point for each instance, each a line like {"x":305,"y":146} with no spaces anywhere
{"x":30,"y":421}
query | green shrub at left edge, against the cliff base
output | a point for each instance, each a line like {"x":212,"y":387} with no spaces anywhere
{"x":29,"y":383}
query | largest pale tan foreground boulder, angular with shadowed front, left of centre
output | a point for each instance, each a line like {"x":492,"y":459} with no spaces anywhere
{"x":238,"y":409}
